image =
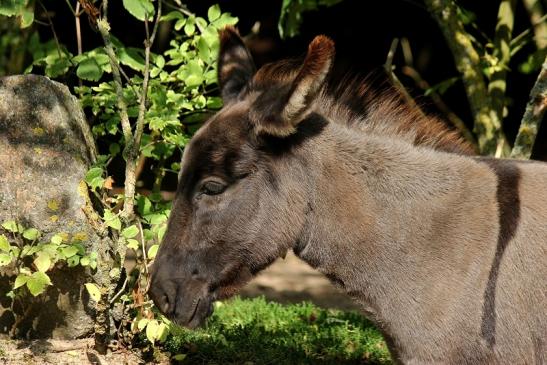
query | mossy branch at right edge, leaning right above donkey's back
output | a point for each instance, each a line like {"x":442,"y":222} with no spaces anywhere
{"x":533,"y":115}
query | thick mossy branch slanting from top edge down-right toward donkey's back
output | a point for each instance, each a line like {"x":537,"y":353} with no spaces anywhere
{"x":467,"y":60}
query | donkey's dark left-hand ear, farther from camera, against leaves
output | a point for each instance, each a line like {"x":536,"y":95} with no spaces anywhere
{"x":235,"y":64}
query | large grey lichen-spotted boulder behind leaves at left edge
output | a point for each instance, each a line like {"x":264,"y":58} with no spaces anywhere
{"x":43,"y":159}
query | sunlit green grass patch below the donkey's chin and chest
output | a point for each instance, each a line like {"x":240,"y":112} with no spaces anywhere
{"x":243,"y":331}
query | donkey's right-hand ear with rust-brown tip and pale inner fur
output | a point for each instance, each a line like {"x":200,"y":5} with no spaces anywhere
{"x":302,"y":92}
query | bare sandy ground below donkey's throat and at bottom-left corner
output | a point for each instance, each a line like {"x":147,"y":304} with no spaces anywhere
{"x":288,"y":280}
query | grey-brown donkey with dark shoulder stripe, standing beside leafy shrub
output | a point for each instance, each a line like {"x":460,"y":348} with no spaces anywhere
{"x":445,"y":251}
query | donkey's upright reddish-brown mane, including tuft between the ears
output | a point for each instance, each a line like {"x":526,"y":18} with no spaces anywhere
{"x":356,"y":104}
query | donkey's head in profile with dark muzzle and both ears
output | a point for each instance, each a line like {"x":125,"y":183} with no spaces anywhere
{"x":243,"y":190}
